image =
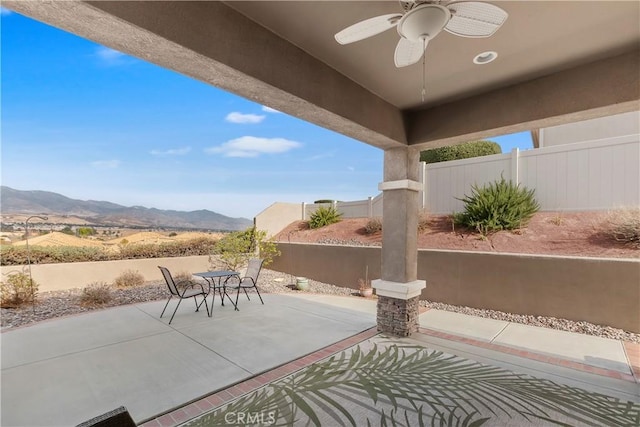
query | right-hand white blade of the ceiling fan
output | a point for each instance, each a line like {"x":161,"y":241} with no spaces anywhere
{"x":475,"y":19}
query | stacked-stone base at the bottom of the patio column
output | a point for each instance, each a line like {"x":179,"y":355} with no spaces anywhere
{"x":398,"y":317}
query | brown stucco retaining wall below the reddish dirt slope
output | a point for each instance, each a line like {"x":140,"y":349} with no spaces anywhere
{"x":598,"y":290}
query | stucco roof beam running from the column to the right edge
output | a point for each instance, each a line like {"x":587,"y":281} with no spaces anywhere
{"x":601,"y":88}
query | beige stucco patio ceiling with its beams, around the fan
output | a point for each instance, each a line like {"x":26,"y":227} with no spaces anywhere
{"x":557,"y":62}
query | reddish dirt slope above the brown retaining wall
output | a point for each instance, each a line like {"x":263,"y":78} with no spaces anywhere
{"x":575,"y":234}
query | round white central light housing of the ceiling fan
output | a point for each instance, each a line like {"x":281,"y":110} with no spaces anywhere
{"x":424,"y":22}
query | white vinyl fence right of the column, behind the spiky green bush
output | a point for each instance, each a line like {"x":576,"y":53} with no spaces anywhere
{"x":594,"y":175}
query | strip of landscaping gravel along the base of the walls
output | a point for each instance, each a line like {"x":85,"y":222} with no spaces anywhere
{"x":62,"y":303}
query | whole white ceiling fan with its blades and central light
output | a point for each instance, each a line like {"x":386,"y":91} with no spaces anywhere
{"x":422,"y":20}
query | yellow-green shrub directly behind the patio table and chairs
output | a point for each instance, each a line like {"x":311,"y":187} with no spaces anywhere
{"x":236,"y":248}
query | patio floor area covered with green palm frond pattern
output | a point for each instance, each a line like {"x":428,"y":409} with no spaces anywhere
{"x":413,"y":386}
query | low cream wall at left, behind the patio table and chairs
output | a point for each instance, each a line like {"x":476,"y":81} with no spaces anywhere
{"x":55,"y":277}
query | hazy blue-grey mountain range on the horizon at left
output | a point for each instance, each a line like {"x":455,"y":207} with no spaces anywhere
{"x":106,"y":213}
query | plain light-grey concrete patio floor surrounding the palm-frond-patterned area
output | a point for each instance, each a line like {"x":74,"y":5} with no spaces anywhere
{"x":64,"y":371}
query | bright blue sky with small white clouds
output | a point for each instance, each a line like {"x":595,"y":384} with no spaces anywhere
{"x":91,"y":123}
